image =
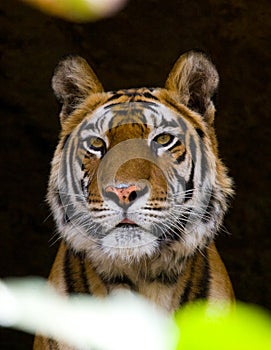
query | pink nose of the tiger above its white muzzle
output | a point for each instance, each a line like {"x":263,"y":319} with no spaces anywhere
{"x":123,"y":194}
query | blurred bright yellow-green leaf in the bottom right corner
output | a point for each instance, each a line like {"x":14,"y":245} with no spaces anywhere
{"x":218,"y":327}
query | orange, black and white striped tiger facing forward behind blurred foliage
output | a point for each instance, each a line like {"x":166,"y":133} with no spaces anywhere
{"x":137,"y":189}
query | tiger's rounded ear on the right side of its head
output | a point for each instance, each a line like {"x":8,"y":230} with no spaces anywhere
{"x":195,"y":79}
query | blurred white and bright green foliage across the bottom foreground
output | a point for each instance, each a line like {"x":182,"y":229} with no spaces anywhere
{"x":110,"y":324}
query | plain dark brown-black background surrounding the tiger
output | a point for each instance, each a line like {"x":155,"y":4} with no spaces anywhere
{"x":137,"y":47}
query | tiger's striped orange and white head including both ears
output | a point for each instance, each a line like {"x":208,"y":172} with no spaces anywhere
{"x":136,"y":171}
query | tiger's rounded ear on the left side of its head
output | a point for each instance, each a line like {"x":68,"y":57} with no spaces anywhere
{"x":72,"y":82}
